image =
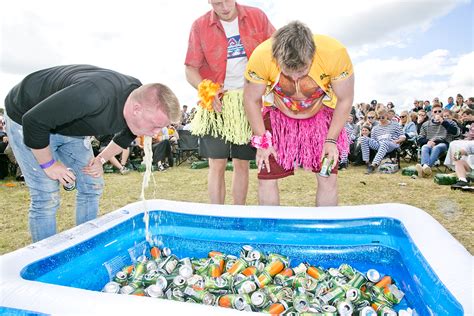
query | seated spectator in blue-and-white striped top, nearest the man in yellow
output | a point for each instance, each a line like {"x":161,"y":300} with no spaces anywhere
{"x":385,"y":138}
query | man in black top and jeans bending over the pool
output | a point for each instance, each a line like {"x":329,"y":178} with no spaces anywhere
{"x":49,"y":116}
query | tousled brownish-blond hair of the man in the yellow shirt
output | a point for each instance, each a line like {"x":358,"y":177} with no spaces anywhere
{"x":293,"y":46}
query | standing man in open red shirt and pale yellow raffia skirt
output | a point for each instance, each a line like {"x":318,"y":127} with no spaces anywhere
{"x":220,"y":44}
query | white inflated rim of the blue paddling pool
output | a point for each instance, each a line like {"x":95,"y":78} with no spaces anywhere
{"x":448,"y":258}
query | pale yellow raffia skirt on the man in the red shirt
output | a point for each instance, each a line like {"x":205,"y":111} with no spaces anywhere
{"x":231,"y":123}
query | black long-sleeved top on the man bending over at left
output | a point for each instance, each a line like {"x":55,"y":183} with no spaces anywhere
{"x":73,"y":100}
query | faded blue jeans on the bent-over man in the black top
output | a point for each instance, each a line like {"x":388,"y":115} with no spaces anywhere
{"x":74,"y":153}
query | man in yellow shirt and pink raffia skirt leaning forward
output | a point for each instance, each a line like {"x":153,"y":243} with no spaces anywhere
{"x":306,"y":83}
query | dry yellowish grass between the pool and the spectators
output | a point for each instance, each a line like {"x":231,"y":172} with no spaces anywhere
{"x":450,"y":208}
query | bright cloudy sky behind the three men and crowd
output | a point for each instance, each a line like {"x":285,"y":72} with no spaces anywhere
{"x":401,"y":50}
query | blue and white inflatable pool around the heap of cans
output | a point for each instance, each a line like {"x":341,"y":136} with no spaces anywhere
{"x":65,"y":273}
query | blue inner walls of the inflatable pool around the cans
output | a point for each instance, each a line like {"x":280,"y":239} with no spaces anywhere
{"x":380,"y":243}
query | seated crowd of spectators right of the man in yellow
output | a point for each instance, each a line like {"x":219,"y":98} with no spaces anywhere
{"x":429,"y":134}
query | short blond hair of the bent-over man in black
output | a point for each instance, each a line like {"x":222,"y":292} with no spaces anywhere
{"x":160,"y":96}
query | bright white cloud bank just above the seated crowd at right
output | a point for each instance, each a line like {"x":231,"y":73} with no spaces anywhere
{"x":437,"y":74}
